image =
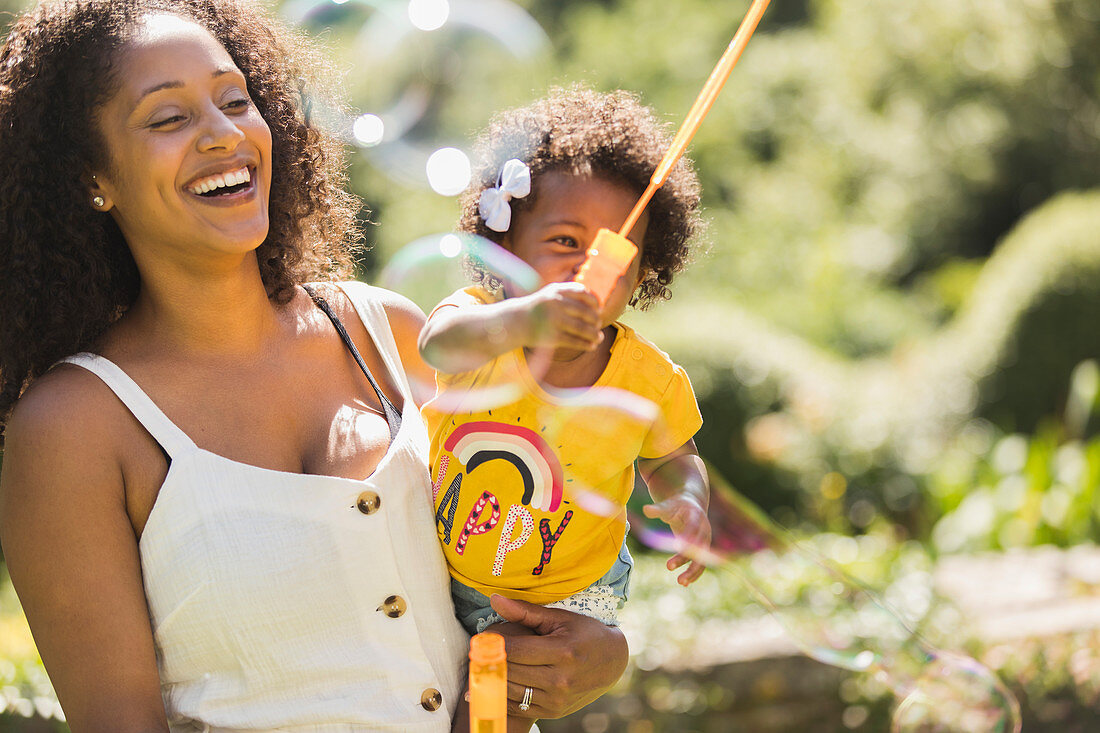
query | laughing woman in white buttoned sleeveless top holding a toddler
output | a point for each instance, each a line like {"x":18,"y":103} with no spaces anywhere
{"x":217,"y":516}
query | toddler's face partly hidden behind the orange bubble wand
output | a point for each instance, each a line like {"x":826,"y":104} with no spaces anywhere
{"x":554,"y":235}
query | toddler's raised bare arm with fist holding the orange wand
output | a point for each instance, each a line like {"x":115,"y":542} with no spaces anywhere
{"x":463,"y":338}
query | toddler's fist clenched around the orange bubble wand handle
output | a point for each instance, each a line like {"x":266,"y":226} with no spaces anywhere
{"x":564,"y":316}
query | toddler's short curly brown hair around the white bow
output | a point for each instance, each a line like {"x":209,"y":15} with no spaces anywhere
{"x":588,"y":134}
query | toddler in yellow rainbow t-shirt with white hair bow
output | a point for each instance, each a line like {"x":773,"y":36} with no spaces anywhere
{"x":537,"y":515}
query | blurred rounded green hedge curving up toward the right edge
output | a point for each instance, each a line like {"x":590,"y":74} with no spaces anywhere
{"x":1006,"y":359}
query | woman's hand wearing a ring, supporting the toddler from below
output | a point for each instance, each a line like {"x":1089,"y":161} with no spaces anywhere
{"x":568,"y":663}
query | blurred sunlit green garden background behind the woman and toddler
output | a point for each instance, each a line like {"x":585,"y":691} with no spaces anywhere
{"x":893,"y":325}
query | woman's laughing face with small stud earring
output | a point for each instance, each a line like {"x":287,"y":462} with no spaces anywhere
{"x":189,"y":155}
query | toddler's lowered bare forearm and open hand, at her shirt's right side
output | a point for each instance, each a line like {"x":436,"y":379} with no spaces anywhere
{"x":681,"y":491}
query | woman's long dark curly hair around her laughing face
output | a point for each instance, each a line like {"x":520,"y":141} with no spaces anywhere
{"x":67,"y":273}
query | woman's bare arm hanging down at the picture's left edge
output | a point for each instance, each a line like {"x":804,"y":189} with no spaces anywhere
{"x":73,"y":557}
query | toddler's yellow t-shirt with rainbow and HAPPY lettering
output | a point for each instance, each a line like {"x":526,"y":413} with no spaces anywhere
{"x":530,"y":486}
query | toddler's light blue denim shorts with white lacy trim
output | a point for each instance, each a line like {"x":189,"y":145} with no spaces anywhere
{"x":600,"y":600}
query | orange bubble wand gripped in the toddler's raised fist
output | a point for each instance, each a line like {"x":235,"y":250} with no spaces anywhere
{"x":612,"y":254}
